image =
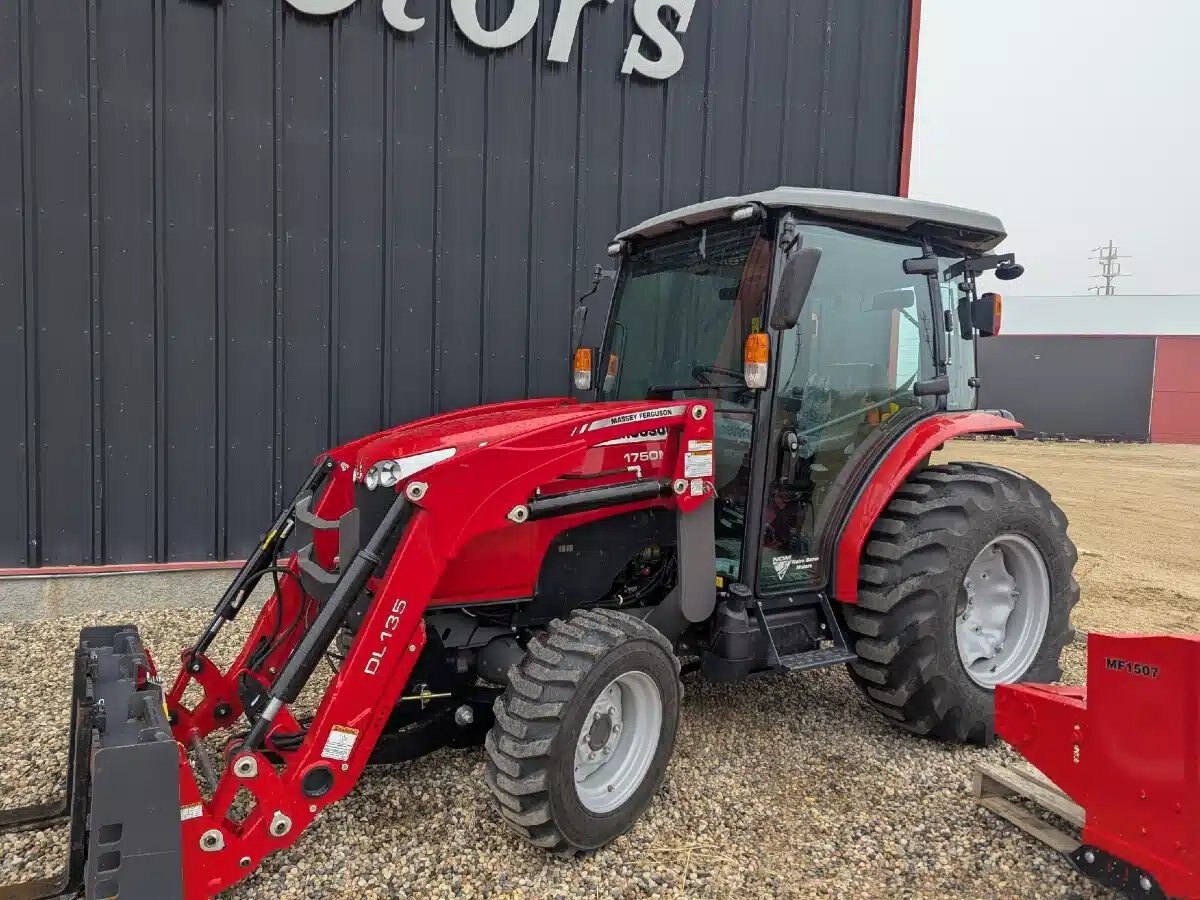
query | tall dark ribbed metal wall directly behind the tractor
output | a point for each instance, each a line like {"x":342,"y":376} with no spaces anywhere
{"x":232,"y":236}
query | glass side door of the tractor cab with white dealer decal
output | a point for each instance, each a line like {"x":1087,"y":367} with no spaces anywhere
{"x":844,"y":379}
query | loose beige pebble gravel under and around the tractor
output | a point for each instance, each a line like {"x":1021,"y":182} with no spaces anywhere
{"x":784,"y":787}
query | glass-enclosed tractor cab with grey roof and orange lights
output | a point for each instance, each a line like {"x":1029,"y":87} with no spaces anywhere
{"x":821,"y":325}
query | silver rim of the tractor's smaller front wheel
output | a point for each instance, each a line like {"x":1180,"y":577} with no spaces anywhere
{"x":617,"y":743}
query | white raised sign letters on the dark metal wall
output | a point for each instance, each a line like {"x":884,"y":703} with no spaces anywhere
{"x":525,"y":16}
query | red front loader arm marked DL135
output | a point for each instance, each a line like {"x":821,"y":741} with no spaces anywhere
{"x":295,"y":767}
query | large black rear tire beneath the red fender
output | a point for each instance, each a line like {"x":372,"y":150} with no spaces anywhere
{"x":911,"y":595}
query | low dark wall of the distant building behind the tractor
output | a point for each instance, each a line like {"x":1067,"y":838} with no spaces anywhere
{"x":1071,"y":387}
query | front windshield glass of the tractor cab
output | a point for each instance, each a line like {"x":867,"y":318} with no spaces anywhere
{"x":683,"y":310}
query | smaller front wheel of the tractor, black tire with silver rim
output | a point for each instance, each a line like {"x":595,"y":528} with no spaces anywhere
{"x":556,"y":712}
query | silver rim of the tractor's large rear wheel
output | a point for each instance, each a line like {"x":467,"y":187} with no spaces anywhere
{"x":1003,"y":611}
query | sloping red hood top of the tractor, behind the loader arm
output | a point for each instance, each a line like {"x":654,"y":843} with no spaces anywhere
{"x":470,"y":429}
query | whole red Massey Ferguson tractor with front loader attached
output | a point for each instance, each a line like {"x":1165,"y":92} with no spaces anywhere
{"x":743,"y":487}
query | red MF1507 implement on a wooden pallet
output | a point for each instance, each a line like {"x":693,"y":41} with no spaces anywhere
{"x":1126,"y":748}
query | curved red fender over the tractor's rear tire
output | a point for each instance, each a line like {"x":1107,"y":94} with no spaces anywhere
{"x":923,"y":439}
